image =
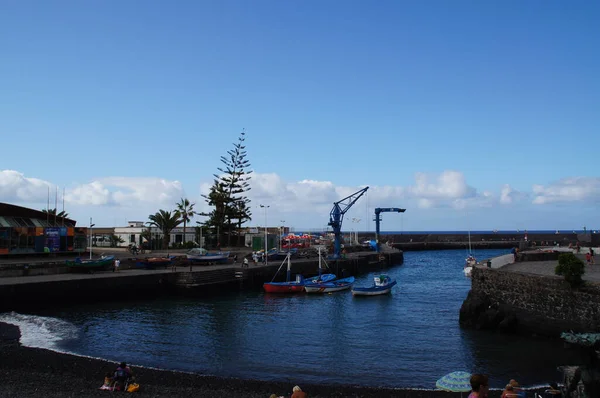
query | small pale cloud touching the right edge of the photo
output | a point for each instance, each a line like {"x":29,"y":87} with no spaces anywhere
{"x":572,"y":189}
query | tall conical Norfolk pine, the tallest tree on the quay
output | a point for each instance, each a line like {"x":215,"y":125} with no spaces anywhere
{"x":226,"y":196}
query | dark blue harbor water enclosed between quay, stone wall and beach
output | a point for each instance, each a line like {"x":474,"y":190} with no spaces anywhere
{"x":407,"y":339}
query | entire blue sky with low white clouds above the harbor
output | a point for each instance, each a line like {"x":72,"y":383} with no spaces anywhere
{"x":470,"y":114}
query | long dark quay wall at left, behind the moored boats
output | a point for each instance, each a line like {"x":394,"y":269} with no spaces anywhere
{"x":44,"y":291}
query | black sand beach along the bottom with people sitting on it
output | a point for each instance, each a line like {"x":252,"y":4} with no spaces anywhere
{"x":42,"y":372}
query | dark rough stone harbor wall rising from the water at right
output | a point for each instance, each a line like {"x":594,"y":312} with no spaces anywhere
{"x":522,"y":303}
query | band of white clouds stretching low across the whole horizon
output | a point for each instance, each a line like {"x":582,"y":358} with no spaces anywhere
{"x":118,"y":199}
